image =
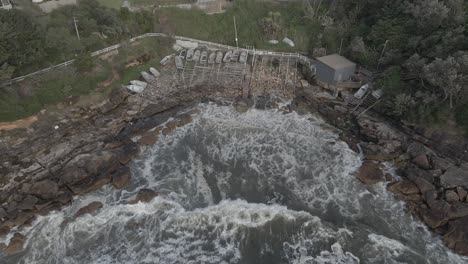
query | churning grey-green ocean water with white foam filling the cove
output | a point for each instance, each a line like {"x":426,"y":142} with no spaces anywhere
{"x":257,"y":187}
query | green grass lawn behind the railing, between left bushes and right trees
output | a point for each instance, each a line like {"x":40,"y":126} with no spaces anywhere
{"x":220,"y":27}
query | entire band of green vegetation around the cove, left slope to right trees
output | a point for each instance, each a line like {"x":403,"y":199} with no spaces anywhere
{"x":420,"y":45}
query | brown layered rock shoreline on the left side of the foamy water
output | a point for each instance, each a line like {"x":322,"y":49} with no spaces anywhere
{"x":43,"y":168}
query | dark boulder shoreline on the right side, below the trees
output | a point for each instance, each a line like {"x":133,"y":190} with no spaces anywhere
{"x":433,"y":178}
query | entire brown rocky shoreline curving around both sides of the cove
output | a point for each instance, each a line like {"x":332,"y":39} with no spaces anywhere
{"x":44,"y":170}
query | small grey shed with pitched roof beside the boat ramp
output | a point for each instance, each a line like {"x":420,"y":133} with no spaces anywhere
{"x":334,"y":68}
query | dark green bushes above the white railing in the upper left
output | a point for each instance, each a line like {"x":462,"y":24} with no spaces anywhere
{"x":29,"y":41}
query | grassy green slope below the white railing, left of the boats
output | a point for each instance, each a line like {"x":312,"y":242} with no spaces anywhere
{"x":30,"y":96}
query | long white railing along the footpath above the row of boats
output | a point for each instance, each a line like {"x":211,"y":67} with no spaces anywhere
{"x":303,"y":58}
